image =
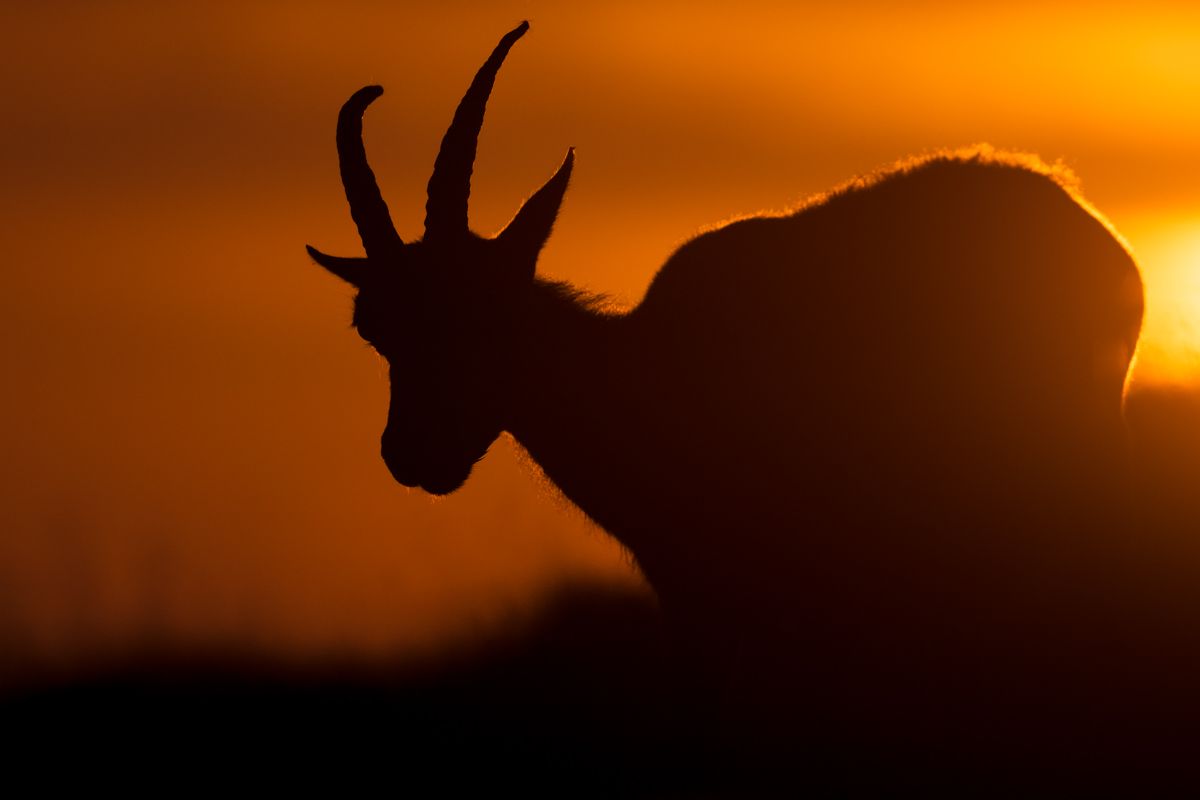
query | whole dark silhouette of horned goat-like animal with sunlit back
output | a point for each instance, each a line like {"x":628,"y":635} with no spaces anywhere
{"x":869,"y":453}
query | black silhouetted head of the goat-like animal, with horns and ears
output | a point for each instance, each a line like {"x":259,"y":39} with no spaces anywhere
{"x":439,"y":310}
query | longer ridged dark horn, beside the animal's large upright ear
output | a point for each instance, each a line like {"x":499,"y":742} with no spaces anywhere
{"x":446,"y":210}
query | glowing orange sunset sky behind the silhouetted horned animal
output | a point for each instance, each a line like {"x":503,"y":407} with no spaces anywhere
{"x":191,"y":429}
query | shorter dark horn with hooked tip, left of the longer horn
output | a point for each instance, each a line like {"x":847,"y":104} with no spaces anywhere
{"x":370,"y":213}
